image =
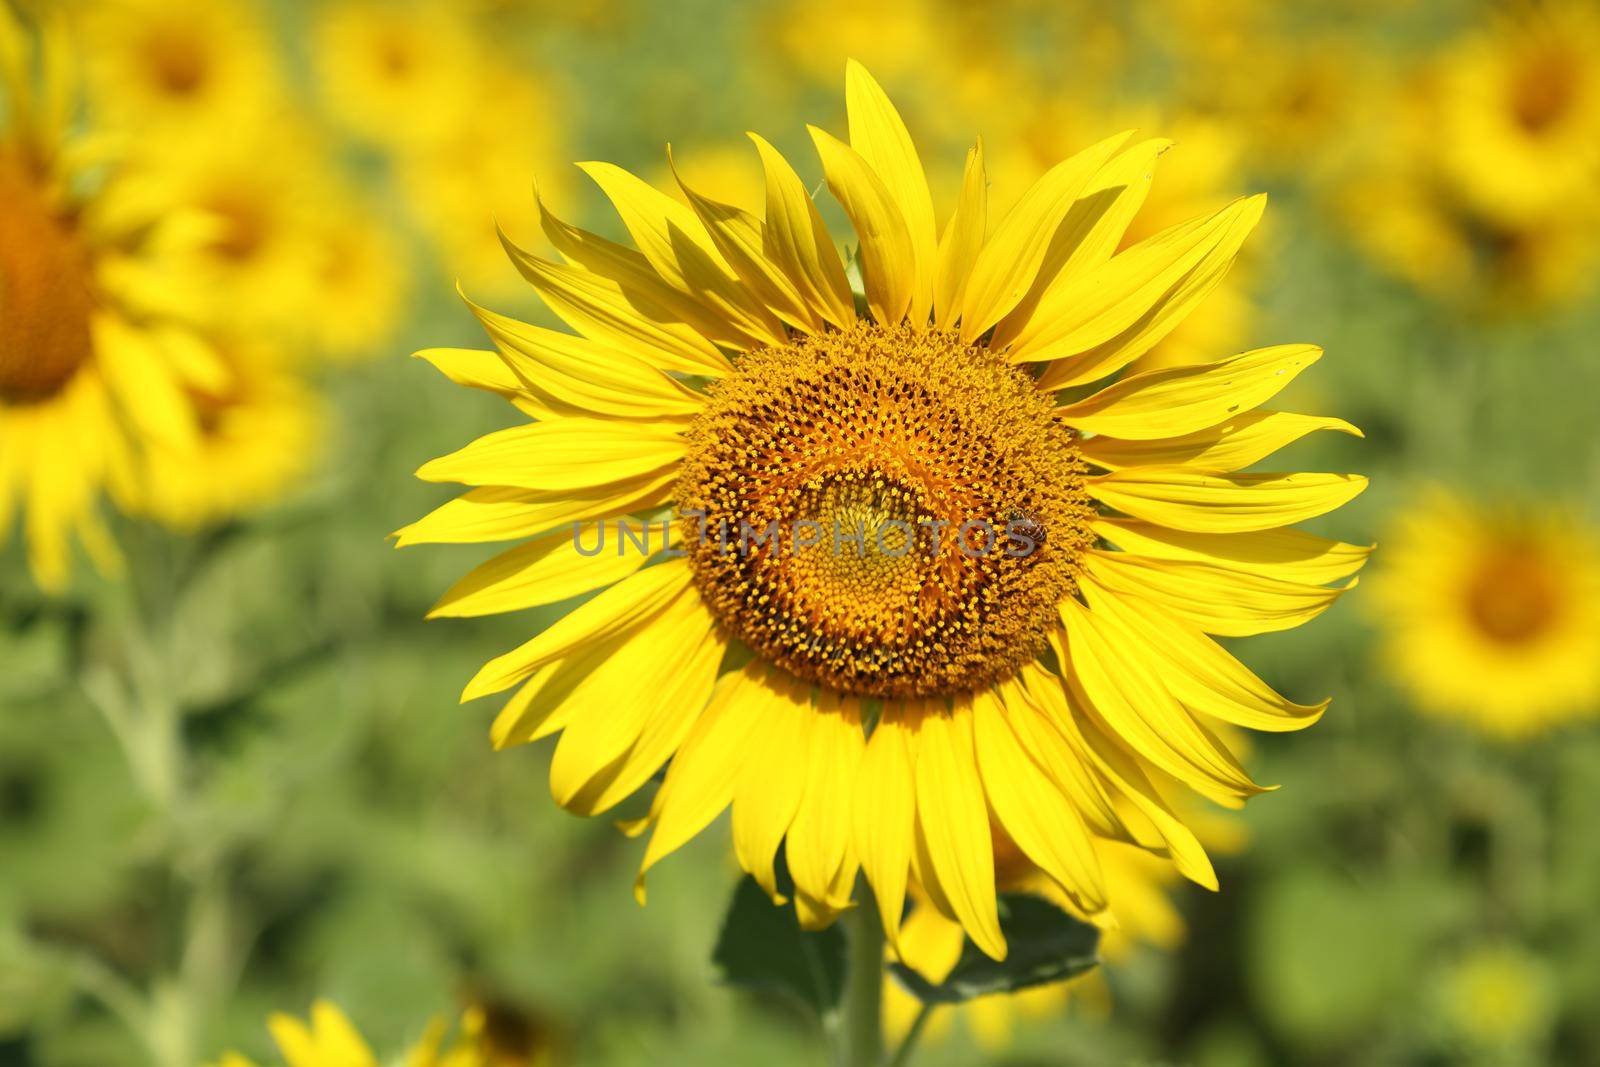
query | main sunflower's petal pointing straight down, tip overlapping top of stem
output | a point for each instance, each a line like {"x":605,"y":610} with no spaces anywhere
{"x":886,"y":815}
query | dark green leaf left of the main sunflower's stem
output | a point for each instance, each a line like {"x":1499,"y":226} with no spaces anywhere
{"x":762,"y":948}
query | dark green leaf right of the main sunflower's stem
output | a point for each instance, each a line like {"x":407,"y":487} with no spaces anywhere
{"x":1046,"y":946}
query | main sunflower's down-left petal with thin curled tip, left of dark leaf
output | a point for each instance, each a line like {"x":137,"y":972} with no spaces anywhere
{"x":706,"y":770}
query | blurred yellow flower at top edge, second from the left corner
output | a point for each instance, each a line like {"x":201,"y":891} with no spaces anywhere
{"x":399,"y":74}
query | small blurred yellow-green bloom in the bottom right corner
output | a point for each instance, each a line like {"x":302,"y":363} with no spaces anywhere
{"x":1498,"y":997}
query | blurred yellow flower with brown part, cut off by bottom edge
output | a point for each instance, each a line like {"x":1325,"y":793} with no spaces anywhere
{"x":330,"y":1041}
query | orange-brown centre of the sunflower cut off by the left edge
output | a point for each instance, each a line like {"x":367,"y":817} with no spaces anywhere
{"x":44,"y":292}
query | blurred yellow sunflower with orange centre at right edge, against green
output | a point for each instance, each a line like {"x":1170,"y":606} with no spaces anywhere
{"x":1494,"y":617}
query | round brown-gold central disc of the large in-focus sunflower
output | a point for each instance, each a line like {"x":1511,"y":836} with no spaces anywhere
{"x":873,"y":450}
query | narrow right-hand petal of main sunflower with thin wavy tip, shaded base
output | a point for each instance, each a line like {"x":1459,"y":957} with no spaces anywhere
{"x":1231,"y":446}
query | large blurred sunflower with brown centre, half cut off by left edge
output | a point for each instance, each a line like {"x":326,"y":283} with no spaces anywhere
{"x":95,"y":337}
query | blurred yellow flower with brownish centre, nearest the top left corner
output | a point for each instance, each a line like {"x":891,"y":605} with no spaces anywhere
{"x":178,"y":70}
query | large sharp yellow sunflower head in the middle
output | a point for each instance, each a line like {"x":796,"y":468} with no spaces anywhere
{"x":974,"y":585}
